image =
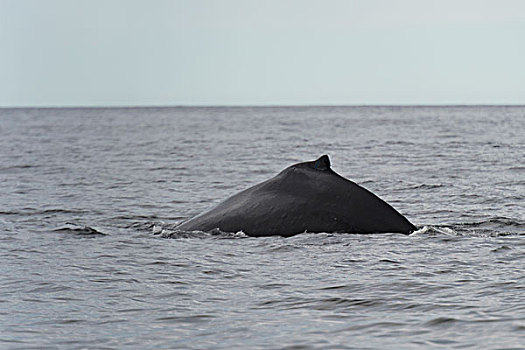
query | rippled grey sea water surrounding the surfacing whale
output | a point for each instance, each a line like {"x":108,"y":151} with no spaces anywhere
{"x":88,"y":197}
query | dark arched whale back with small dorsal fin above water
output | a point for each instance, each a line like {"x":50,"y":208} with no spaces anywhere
{"x":305,"y":197}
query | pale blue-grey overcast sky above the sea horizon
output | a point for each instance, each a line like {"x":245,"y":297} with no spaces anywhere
{"x":254,"y":52}
